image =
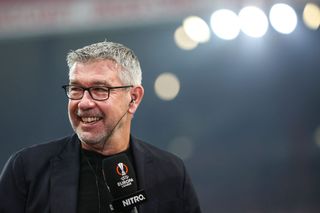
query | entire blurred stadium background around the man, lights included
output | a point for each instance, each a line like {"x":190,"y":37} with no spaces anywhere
{"x":232,"y":87}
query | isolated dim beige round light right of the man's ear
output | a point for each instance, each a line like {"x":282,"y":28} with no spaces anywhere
{"x":167,"y":86}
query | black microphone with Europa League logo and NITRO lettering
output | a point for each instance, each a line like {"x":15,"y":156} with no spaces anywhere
{"x":121,"y":180}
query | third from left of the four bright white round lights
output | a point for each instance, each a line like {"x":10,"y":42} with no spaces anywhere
{"x":254,"y":22}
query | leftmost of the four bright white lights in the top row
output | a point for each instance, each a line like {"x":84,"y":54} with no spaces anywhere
{"x":197,"y":29}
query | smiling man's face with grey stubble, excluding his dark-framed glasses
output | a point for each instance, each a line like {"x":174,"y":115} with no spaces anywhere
{"x":94,"y":121}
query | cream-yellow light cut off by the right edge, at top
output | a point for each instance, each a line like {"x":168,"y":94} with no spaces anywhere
{"x":311,"y":16}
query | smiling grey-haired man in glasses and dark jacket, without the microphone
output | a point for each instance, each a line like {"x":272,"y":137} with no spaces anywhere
{"x":66,"y":175}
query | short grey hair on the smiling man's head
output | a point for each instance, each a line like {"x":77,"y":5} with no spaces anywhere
{"x":122,"y":55}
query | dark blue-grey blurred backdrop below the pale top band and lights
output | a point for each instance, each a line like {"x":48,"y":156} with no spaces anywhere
{"x":250,"y":107}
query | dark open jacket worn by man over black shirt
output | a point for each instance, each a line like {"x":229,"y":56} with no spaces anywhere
{"x":44,"y":178}
